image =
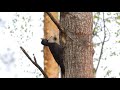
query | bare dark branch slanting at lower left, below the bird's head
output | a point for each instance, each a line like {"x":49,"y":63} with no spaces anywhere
{"x":35,"y":63}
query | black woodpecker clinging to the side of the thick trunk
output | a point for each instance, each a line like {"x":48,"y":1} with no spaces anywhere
{"x":57,"y":52}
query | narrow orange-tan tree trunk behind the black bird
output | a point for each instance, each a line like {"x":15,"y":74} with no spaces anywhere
{"x":50,"y":29}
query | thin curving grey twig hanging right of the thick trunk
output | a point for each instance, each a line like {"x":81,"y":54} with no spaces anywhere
{"x":102,"y":45}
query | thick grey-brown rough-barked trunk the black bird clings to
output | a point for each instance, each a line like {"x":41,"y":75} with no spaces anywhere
{"x":78,"y":51}
